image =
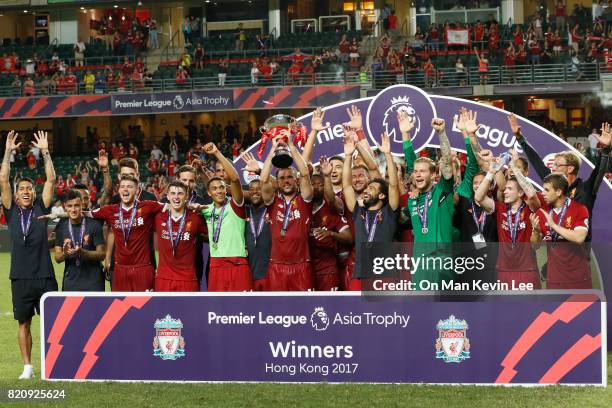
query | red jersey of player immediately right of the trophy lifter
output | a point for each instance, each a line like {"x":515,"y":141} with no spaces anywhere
{"x":324,"y":252}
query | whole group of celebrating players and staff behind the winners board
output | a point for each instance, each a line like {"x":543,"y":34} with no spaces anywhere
{"x":304,"y":228}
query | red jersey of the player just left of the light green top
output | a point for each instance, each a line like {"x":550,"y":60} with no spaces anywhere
{"x":180,"y":266}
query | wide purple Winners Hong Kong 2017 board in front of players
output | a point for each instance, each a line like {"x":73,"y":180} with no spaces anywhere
{"x":527,"y":339}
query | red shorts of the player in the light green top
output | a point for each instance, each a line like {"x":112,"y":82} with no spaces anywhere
{"x":229,"y":275}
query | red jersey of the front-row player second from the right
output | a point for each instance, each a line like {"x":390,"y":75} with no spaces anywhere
{"x":521,"y":257}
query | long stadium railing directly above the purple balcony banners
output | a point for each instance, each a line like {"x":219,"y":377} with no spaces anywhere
{"x":443,"y":77}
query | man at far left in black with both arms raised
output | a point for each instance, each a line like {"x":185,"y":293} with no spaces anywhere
{"x":31,"y":270}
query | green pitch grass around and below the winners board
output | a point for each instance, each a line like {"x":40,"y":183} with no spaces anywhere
{"x":118,"y":395}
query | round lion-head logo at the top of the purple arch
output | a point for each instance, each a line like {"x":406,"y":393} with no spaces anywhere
{"x":382,"y":116}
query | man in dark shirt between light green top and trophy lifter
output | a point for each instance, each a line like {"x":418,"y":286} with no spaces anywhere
{"x":258,"y":238}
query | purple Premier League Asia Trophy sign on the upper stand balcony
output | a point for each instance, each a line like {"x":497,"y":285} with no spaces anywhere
{"x":166,"y":102}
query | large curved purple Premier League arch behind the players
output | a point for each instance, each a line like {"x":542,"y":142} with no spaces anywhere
{"x":379,"y":114}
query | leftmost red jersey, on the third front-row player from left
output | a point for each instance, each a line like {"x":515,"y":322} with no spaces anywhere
{"x":138,"y":249}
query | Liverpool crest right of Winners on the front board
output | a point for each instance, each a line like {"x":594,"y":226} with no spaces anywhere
{"x":452,"y":345}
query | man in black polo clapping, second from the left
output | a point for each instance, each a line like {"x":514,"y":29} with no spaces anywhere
{"x":80,"y":243}
